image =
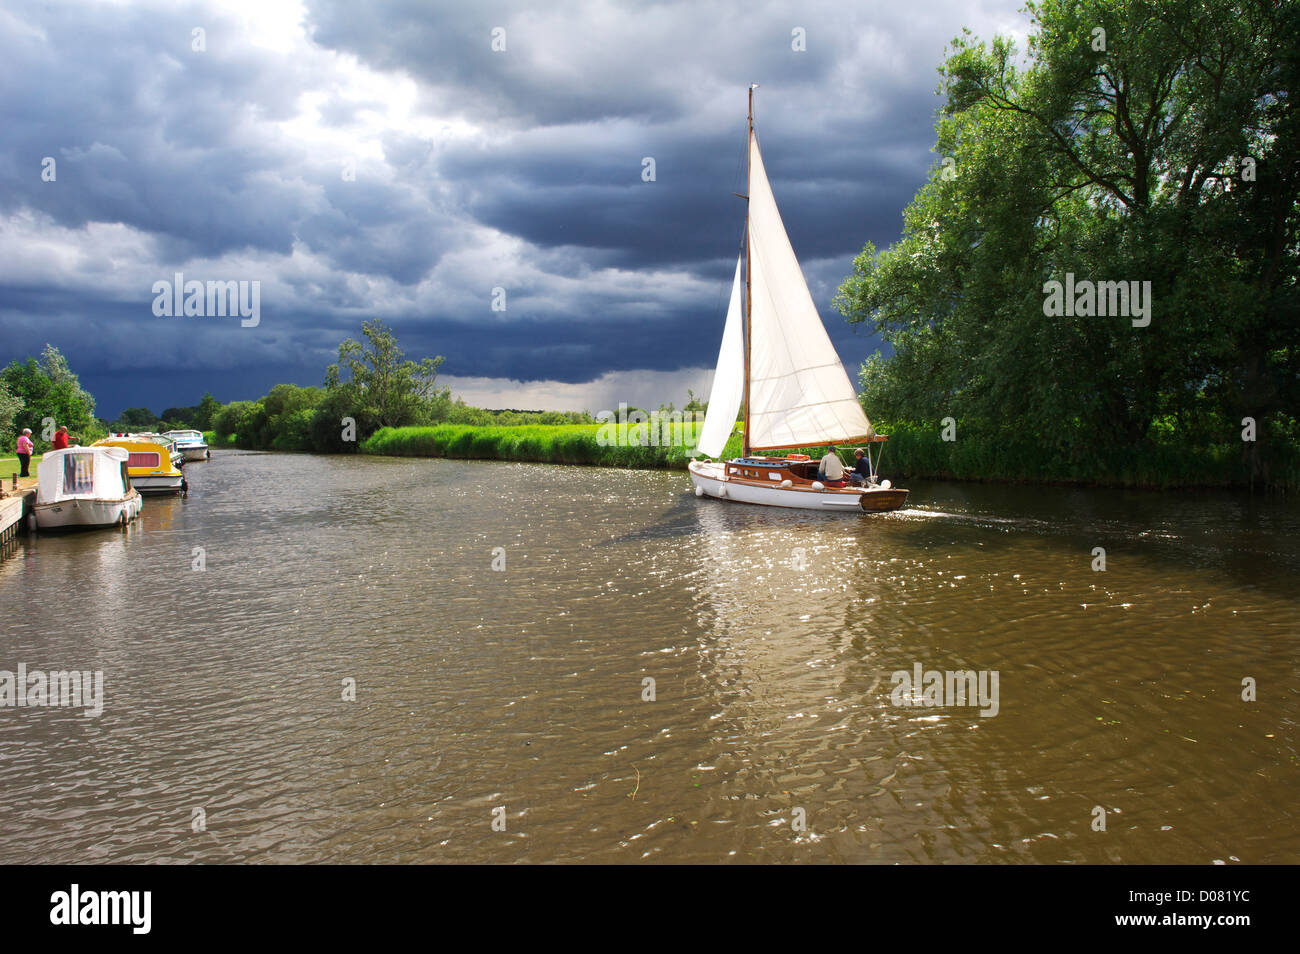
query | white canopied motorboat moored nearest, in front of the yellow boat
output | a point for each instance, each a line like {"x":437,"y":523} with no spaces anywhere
{"x":84,"y":488}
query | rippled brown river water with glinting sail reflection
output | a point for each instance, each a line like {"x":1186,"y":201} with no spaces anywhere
{"x":523,"y":690}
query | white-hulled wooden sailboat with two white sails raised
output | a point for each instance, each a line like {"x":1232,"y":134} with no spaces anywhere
{"x":778,"y":362}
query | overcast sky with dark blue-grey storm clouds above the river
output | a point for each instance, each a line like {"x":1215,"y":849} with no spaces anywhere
{"x":383,"y":161}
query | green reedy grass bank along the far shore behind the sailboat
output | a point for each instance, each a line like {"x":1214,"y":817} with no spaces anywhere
{"x":913,"y":452}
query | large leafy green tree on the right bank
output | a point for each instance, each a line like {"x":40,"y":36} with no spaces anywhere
{"x":1136,"y":141}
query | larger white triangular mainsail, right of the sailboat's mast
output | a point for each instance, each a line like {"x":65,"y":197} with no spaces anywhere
{"x":799,"y":392}
